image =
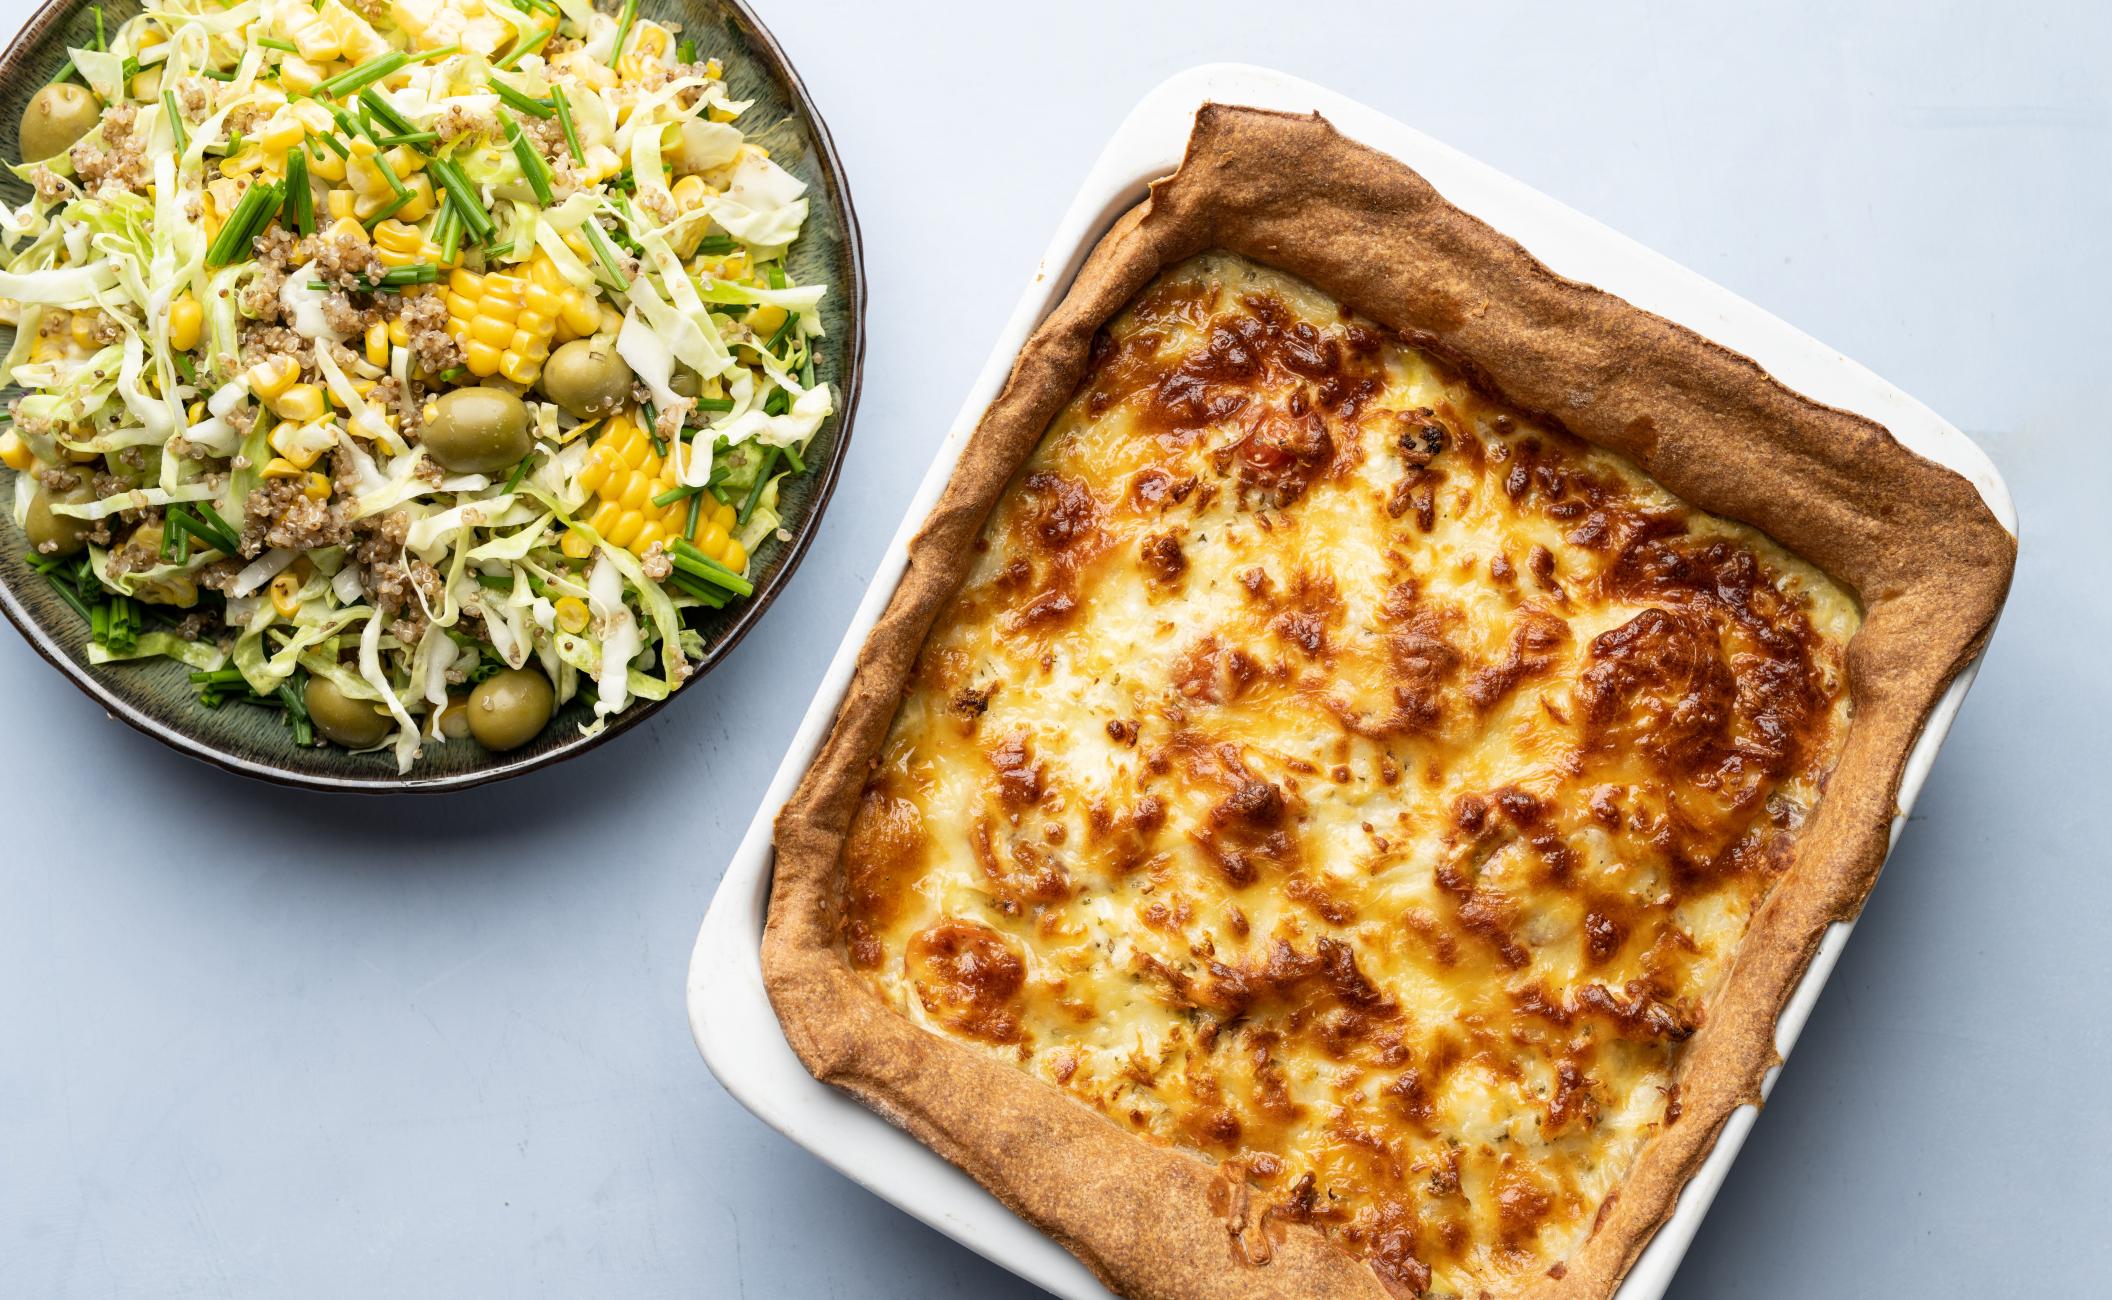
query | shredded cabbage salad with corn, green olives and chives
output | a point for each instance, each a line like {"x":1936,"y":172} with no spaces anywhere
{"x":402,"y":366}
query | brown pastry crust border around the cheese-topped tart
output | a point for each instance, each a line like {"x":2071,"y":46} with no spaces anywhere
{"x":1910,"y":539}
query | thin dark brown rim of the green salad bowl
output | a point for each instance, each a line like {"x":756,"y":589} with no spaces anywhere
{"x":14,"y":64}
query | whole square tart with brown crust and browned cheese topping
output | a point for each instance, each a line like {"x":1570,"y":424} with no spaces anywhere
{"x":1323,"y":818}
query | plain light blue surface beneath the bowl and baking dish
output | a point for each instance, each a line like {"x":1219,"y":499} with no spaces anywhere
{"x":261,"y":1044}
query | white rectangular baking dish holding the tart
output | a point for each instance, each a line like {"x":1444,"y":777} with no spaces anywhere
{"x":728,"y":1008}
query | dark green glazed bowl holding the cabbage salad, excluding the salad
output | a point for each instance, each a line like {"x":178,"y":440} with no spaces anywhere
{"x":159,"y":700}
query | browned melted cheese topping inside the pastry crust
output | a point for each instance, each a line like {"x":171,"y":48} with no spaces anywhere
{"x":1330,"y":771}
